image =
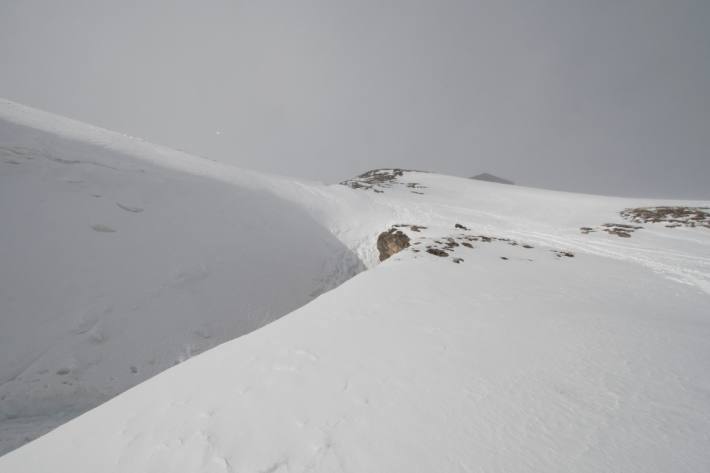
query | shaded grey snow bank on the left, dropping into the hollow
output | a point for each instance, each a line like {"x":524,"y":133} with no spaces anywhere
{"x":113,"y":268}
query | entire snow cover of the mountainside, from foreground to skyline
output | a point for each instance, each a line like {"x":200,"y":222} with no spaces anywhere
{"x":545,"y":348}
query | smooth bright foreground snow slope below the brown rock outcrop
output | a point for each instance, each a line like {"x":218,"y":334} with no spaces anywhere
{"x":555,"y":364}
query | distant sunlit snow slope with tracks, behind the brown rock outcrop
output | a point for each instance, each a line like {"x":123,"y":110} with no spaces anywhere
{"x":537,"y":216}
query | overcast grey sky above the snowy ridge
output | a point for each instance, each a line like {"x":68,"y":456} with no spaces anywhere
{"x":595,"y":96}
